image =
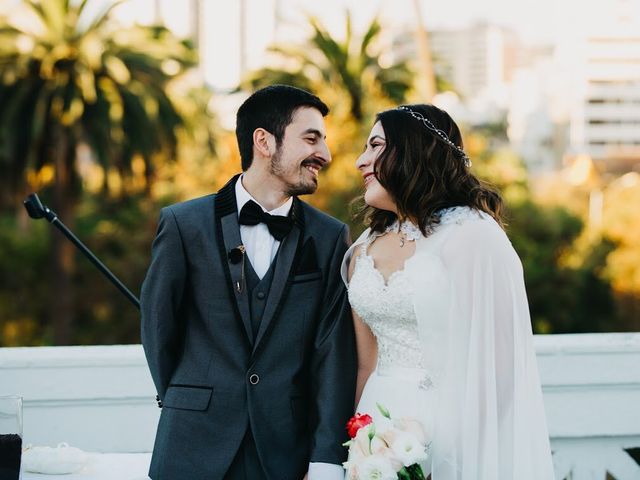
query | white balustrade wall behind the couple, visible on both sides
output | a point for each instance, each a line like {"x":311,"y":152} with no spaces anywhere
{"x":101,"y":398}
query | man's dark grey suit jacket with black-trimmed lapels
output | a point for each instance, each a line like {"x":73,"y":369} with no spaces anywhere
{"x":292,"y":385}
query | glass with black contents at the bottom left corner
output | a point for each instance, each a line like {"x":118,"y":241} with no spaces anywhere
{"x":10,"y":436}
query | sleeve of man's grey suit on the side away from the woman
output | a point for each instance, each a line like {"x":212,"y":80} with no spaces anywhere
{"x":160,"y":299}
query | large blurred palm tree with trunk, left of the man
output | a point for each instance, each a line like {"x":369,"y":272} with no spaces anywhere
{"x":70,"y":78}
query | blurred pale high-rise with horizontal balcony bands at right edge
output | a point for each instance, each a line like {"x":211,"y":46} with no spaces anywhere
{"x":605,"y":120}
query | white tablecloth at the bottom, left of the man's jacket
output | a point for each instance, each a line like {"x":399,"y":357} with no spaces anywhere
{"x":105,"y":466}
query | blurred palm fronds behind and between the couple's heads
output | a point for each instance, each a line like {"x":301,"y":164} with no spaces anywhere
{"x":354,"y":65}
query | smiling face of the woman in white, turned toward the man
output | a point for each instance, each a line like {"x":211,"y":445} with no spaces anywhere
{"x":375,"y":194}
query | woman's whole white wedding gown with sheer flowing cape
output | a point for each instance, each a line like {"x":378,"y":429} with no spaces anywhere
{"x":455,"y":349}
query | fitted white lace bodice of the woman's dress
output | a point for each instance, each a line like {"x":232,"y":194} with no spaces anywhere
{"x":387,"y":309}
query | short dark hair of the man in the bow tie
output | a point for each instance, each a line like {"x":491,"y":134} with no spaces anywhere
{"x":271,"y":108}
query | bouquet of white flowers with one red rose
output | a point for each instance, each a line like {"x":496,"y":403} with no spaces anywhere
{"x":389,"y":452}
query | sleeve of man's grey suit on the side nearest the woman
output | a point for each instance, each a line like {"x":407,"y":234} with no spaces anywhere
{"x":333,"y":365}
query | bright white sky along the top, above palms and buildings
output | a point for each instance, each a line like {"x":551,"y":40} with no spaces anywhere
{"x":535,"y":21}
